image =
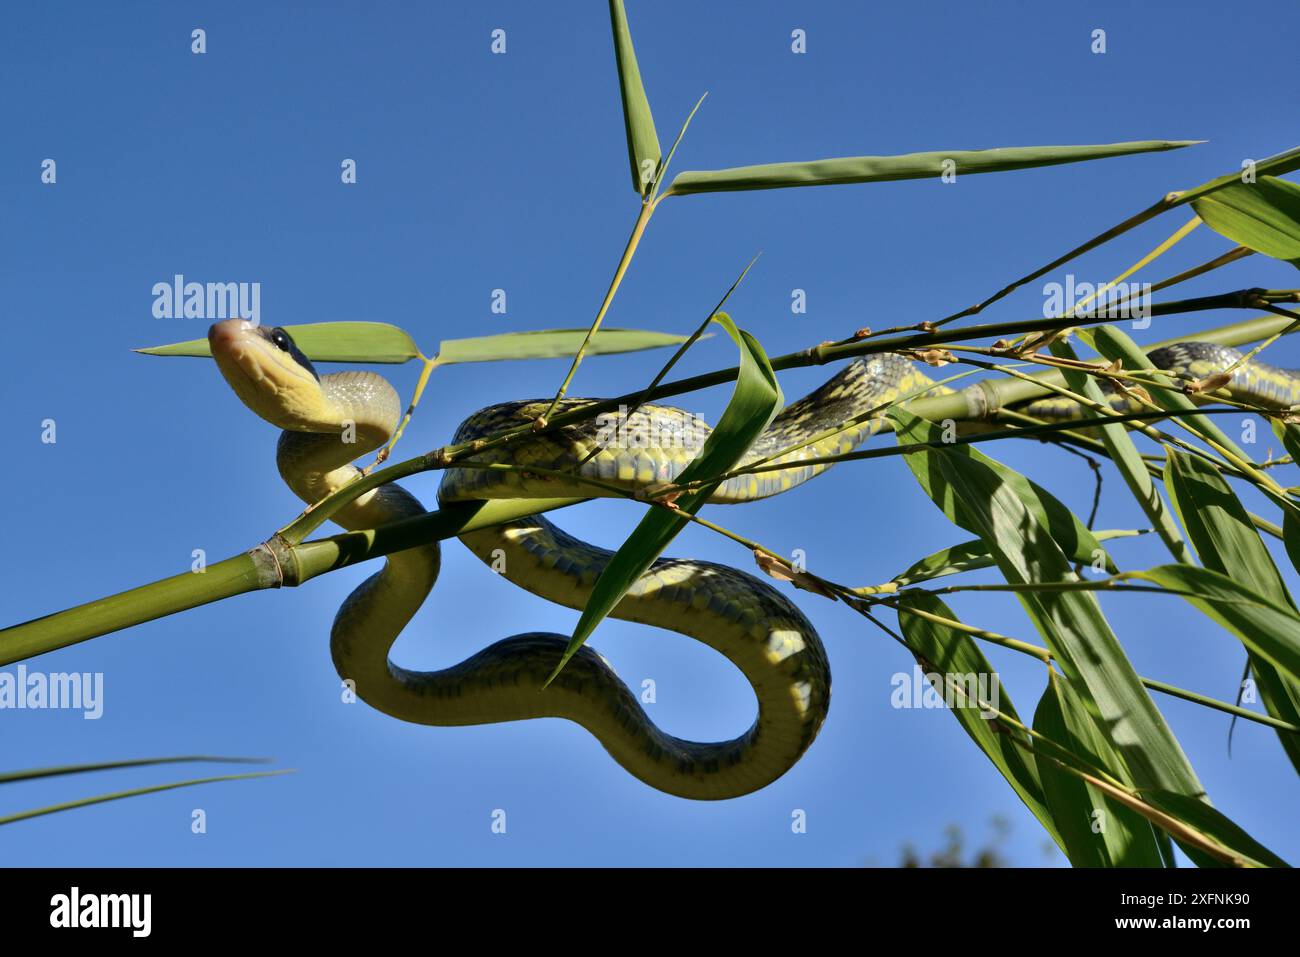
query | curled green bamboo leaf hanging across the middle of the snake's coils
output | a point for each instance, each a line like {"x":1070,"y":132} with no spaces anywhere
{"x":753,"y":404}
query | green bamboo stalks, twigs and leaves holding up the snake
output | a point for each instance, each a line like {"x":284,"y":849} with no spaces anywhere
{"x":1099,"y":768}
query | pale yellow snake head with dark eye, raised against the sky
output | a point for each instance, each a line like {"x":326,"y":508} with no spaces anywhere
{"x":270,"y":375}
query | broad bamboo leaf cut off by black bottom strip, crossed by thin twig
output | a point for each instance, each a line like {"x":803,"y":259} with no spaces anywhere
{"x":1097,"y":830}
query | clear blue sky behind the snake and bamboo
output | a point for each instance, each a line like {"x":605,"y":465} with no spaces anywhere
{"x":479,"y":172}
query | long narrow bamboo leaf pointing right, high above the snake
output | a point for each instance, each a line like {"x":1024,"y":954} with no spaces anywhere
{"x":873,"y":170}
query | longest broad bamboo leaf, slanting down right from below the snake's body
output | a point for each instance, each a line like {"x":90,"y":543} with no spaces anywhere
{"x":974,"y":492}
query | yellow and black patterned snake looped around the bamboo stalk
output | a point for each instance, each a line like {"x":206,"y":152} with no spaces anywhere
{"x":330,"y":422}
